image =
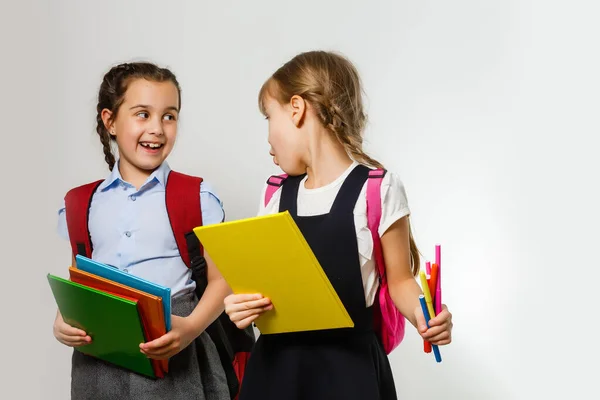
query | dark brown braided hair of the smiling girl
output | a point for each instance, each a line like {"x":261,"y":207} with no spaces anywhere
{"x":112,"y":94}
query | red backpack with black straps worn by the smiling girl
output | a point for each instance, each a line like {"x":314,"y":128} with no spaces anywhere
{"x":184,"y":210}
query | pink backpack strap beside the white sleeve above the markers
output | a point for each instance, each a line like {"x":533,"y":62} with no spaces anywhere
{"x":374,"y":216}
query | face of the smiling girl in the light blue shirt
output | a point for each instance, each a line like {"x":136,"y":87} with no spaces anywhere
{"x":146,"y":124}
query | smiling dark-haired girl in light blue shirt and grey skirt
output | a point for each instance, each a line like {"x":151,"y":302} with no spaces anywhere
{"x":138,"y":109}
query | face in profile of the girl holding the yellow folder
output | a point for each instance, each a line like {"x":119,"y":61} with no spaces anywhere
{"x":287,"y":140}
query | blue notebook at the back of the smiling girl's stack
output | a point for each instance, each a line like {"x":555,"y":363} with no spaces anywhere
{"x":116,"y":275}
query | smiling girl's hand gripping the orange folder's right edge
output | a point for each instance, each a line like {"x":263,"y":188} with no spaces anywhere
{"x":181,"y":335}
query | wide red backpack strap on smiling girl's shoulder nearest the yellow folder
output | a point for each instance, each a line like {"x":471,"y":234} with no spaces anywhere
{"x":182,"y":197}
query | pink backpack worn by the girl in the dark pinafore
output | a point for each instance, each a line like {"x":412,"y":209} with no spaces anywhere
{"x":389,"y":322}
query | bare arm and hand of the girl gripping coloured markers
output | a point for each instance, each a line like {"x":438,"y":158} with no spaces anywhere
{"x":404,"y":289}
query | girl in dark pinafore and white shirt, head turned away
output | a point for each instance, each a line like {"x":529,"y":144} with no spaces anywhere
{"x":314,"y":107}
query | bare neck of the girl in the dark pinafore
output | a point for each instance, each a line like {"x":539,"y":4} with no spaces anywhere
{"x":327,"y":160}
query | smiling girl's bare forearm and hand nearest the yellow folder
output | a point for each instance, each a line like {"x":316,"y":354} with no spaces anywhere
{"x":185,"y":329}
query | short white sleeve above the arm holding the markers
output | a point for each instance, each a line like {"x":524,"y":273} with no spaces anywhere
{"x":394,"y":203}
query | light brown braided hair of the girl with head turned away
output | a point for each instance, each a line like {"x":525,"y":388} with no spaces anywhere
{"x":331,"y":85}
